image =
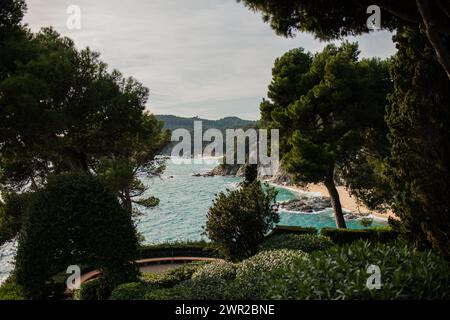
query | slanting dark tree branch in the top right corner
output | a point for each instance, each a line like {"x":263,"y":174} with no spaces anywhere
{"x":441,"y":50}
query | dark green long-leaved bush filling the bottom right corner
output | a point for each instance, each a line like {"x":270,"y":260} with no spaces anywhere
{"x":341,"y":273}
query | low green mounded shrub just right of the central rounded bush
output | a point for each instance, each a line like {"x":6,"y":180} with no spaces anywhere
{"x":303,"y":242}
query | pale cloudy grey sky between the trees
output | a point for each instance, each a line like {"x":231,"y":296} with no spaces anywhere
{"x":206,"y":58}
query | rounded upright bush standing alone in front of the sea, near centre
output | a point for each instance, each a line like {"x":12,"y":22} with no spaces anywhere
{"x":238,"y":220}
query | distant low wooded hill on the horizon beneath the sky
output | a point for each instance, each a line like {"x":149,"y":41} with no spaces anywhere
{"x":174,"y":122}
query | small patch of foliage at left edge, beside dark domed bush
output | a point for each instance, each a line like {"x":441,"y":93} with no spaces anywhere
{"x":12,"y":208}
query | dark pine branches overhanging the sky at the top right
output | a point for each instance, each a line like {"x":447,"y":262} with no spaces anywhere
{"x":331,"y":19}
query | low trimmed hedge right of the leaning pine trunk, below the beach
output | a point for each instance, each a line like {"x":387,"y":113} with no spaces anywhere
{"x":346,"y":236}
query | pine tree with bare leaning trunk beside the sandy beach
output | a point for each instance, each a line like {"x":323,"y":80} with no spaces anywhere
{"x":330,"y":108}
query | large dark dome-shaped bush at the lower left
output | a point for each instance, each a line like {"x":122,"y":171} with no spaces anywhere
{"x":74,"y":220}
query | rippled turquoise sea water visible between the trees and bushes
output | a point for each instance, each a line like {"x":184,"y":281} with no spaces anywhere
{"x":184,"y":203}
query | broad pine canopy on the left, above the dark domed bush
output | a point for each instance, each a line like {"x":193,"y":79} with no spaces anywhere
{"x":62,"y":110}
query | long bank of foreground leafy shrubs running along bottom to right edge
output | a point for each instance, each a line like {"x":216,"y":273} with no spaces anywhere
{"x":333,"y":273}
